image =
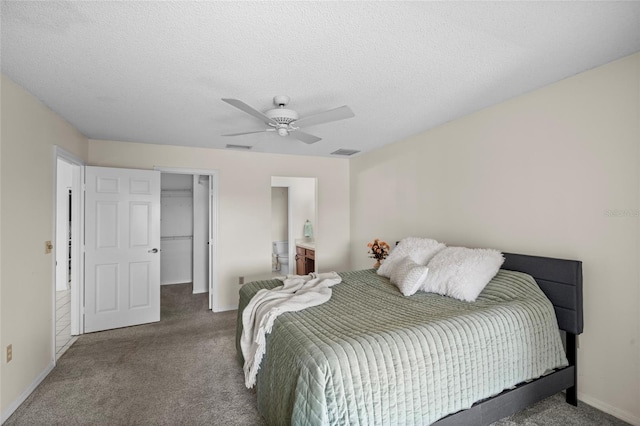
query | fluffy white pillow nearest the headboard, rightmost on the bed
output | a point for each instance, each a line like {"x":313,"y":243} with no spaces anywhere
{"x":461,"y":272}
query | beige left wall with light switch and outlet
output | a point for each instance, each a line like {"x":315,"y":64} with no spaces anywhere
{"x":29,"y":132}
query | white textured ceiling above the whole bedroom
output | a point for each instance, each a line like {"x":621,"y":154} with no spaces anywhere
{"x":154,"y":72}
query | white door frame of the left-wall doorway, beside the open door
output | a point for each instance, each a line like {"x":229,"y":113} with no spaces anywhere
{"x":77,"y":241}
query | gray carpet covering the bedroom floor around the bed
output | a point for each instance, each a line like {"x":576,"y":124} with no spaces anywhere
{"x":183,"y":370}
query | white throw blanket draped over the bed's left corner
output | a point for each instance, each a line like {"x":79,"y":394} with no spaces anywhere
{"x":298,"y":292}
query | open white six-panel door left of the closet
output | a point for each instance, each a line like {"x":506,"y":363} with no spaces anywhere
{"x":122,"y":243}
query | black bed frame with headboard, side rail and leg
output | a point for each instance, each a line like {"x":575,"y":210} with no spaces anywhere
{"x":561,"y":281}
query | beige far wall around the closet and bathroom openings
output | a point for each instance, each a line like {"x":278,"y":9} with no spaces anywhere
{"x":244,"y":244}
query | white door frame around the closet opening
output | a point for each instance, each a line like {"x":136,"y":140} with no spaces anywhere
{"x":213,"y":228}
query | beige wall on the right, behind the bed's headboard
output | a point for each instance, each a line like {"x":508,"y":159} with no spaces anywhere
{"x":554,"y":172}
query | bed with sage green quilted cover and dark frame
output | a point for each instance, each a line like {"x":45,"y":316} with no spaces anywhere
{"x":361,"y":358}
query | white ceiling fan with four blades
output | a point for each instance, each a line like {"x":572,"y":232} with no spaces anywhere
{"x":286,"y":121}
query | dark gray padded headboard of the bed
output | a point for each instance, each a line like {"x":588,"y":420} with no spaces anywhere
{"x":560,"y":280}
